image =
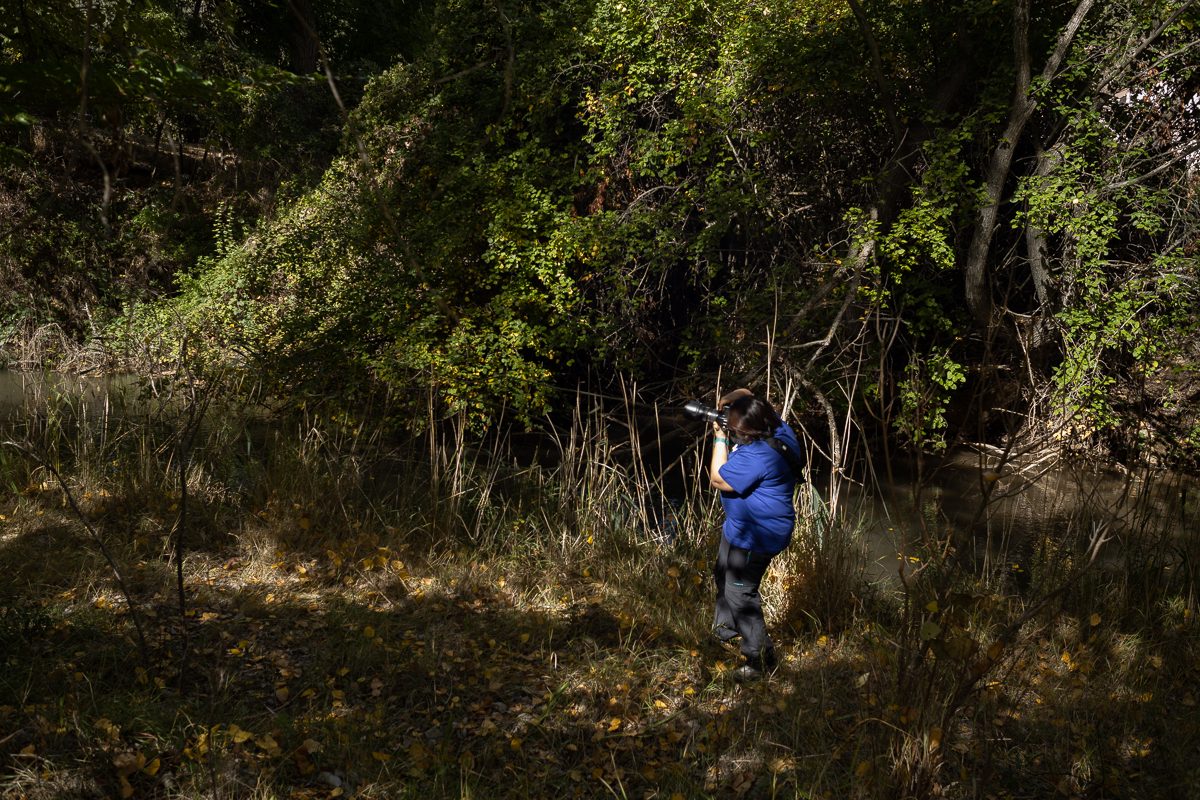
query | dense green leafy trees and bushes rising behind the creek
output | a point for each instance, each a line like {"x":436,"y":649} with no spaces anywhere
{"x":933,"y":197}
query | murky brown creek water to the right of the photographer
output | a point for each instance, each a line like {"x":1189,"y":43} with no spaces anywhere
{"x":1033,"y":506}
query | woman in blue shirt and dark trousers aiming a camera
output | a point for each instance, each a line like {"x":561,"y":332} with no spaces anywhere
{"x":757,"y":485}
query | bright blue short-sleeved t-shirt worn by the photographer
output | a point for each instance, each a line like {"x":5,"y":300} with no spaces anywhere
{"x":759,"y":514}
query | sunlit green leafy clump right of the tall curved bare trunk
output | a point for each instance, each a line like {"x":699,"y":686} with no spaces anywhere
{"x":1123,"y":308}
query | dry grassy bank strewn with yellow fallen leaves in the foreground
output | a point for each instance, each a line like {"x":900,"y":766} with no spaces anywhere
{"x":427,"y":617}
